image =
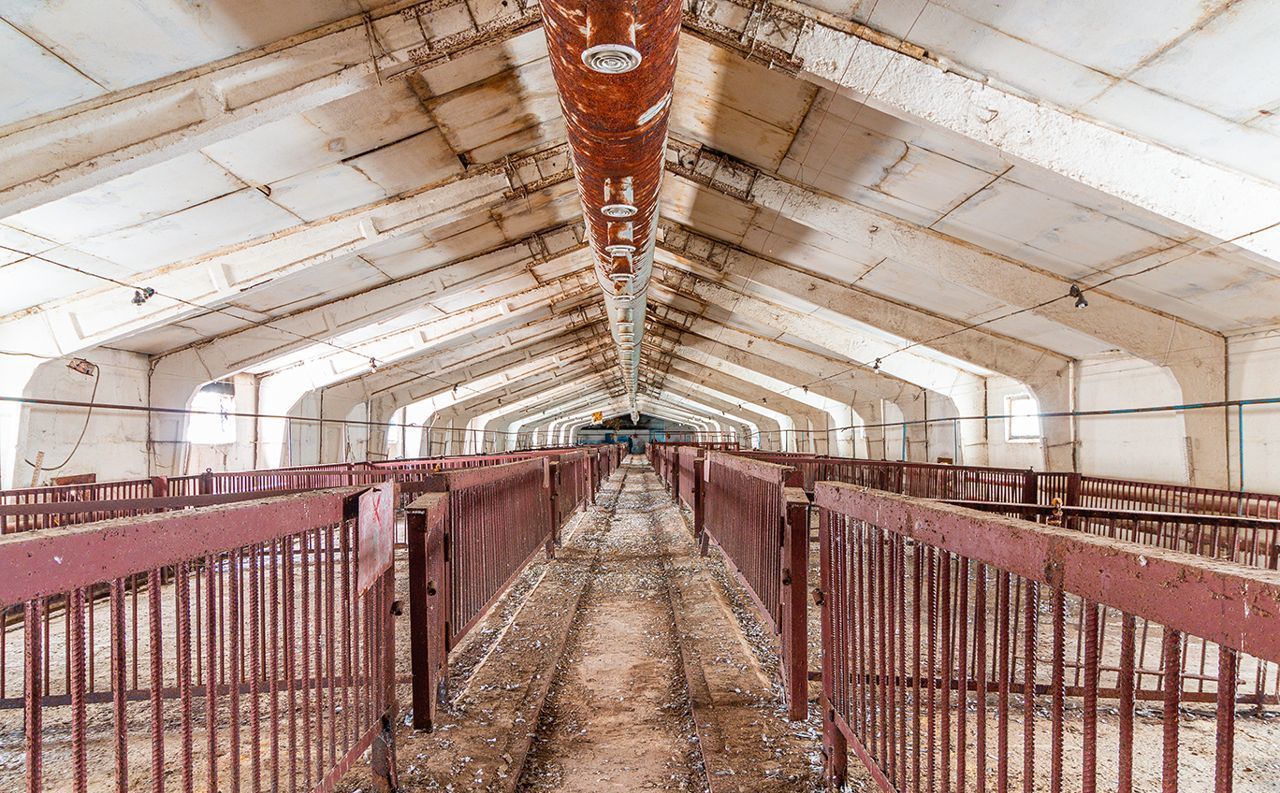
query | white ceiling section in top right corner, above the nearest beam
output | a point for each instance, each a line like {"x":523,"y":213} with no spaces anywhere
{"x":1196,"y":54}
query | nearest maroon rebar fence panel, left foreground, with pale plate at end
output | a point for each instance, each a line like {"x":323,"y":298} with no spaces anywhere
{"x":245,"y":647}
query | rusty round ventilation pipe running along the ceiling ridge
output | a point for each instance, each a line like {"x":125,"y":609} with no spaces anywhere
{"x":615,"y":67}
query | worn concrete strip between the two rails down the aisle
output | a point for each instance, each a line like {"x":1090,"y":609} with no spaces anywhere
{"x":619,"y":714}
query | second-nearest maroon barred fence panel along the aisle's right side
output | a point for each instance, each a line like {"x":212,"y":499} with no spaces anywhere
{"x":757,"y":515}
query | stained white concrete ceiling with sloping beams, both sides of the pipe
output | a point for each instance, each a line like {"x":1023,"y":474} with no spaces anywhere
{"x":300,"y":203}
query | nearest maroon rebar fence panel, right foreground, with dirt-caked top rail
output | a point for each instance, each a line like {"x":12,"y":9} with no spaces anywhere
{"x":973,"y":652}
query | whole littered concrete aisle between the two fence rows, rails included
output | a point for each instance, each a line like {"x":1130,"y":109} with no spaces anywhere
{"x":629,"y":663}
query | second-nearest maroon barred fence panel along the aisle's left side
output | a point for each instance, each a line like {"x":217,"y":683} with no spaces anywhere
{"x":464,"y":553}
